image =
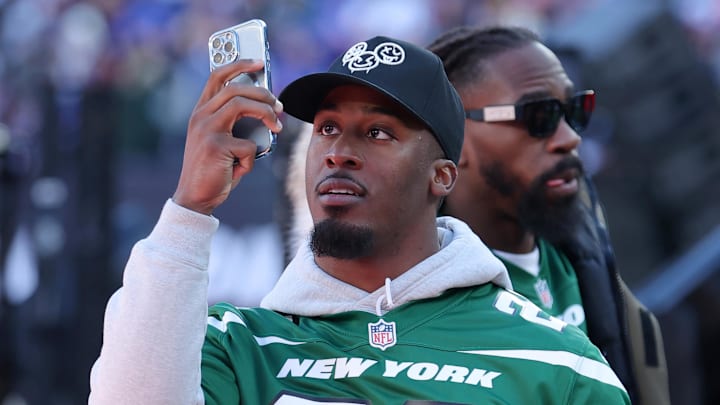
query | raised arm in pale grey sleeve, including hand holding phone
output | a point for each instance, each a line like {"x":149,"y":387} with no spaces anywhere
{"x":155,"y":324}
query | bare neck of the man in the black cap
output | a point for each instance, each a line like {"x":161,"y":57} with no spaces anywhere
{"x":389,"y":260}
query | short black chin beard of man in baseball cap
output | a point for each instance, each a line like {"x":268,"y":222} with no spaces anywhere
{"x":341,"y":241}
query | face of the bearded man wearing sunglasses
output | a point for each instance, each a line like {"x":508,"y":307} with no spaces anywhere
{"x":512,"y":173}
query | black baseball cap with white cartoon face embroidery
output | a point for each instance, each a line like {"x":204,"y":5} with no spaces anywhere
{"x":407,"y":73}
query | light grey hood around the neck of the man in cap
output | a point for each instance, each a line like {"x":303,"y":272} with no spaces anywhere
{"x":462,"y":261}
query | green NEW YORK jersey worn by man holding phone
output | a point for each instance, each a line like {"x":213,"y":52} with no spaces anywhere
{"x":475,"y":345}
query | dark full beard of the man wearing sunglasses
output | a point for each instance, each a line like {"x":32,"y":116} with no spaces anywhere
{"x":553,"y":220}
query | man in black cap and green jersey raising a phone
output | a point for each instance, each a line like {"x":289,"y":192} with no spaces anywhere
{"x":385,"y":303}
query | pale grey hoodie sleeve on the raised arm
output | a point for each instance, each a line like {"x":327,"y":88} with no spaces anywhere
{"x":155,"y":323}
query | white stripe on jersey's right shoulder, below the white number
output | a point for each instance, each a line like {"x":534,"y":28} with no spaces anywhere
{"x":582,"y":365}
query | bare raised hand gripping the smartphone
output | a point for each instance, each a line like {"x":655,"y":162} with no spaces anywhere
{"x":214,"y":161}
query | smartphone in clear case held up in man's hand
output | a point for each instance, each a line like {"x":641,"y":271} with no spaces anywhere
{"x":247,"y":40}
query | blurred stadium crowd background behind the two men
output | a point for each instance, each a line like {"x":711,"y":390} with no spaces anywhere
{"x":94,"y":102}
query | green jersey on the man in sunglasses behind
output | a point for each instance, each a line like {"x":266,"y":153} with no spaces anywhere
{"x":555,"y":289}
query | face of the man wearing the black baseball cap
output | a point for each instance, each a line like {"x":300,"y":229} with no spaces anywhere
{"x":368,"y":170}
